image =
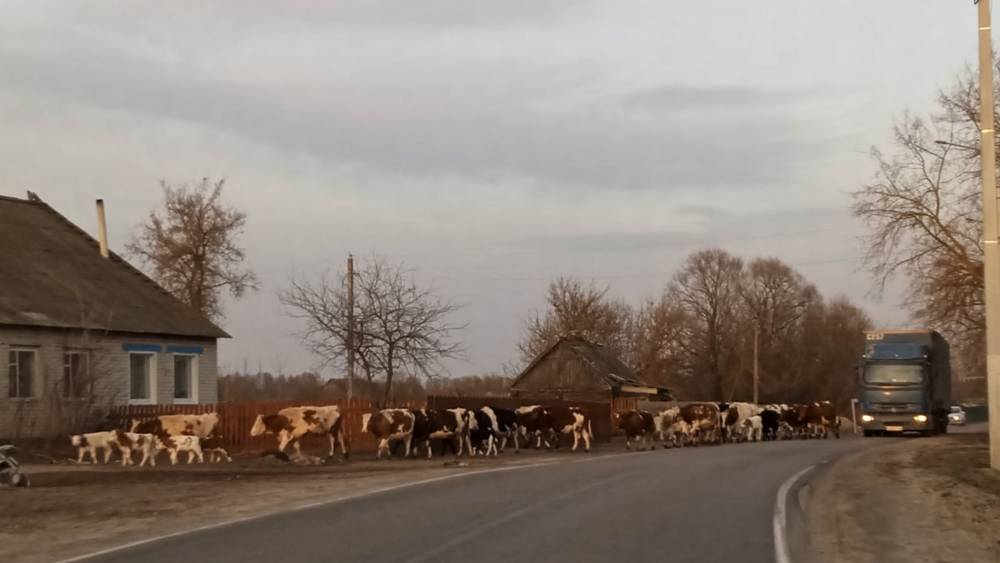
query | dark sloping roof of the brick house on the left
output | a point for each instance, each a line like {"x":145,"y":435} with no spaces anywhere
{"x":53,"y":275}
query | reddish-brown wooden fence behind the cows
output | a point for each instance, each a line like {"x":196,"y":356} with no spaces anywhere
{"x":236,"y":419}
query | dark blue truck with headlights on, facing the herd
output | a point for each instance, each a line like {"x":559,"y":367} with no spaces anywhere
{"x":904,"y":382}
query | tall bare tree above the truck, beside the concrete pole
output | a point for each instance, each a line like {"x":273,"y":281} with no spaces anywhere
{"x":923,"y":213}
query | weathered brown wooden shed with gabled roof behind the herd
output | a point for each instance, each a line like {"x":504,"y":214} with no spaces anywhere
{"x":576,"y":369}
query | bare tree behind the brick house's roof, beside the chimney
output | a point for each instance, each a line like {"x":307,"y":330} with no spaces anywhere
{"x":192,"y":246}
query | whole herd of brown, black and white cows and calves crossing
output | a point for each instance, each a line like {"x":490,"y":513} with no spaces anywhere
{"x":487,"y":430}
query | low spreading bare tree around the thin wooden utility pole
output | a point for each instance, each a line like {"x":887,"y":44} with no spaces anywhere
{"x":400,"y":326}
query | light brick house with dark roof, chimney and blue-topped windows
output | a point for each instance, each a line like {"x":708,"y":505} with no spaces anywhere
{"x":82,"y":330}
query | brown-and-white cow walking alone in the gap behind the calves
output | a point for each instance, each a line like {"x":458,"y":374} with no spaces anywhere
{"x":292,"y":423}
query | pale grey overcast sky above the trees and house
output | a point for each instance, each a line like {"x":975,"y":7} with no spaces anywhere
{"x":491,"y":145}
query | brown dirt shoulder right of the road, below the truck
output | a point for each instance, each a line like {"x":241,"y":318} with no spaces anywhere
{"x":917,"y":500}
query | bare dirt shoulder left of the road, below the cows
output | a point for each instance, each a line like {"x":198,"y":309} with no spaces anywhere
{"x":72,"y":510}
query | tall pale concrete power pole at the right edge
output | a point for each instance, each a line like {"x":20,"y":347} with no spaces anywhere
{"x":991,"y":258}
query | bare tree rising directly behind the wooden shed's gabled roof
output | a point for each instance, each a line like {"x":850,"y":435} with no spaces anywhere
{"x":580,"y":309}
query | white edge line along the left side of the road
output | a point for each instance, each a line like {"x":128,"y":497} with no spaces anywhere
{"x":338,"y":500}
